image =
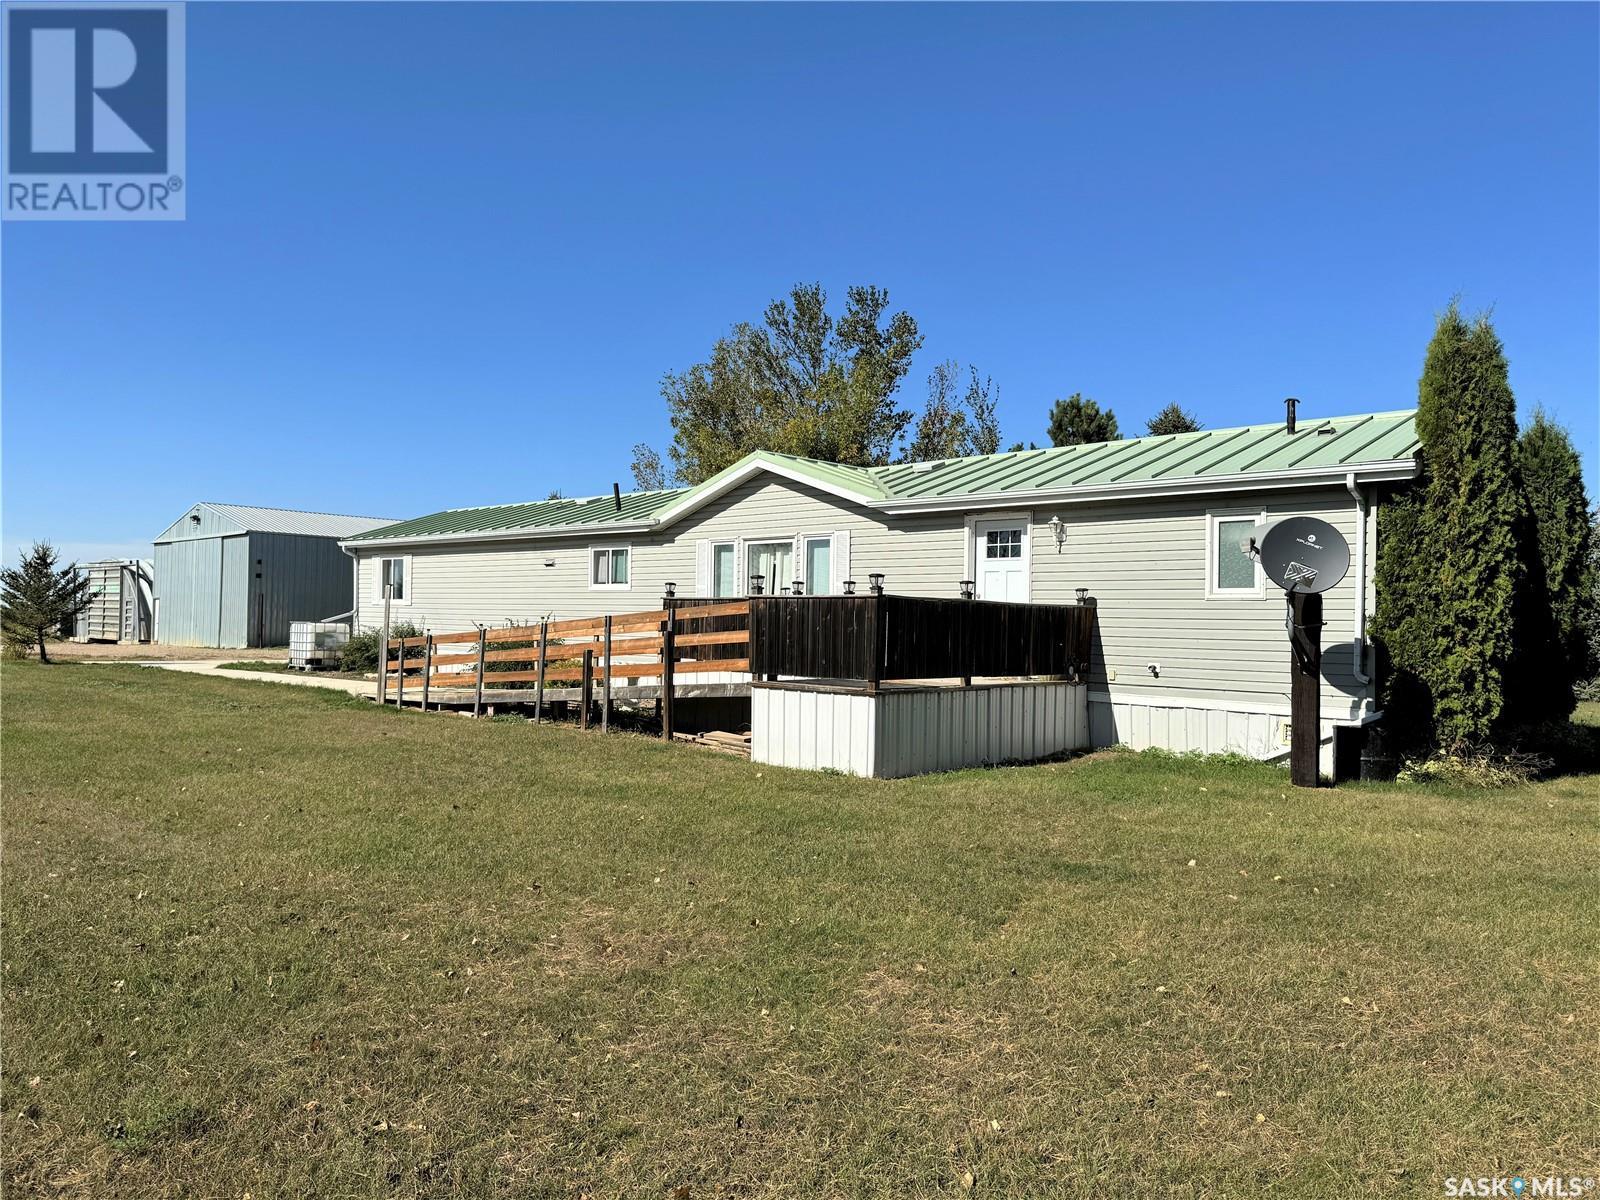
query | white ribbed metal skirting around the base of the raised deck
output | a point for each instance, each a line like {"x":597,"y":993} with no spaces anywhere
{"x":913,"y":730}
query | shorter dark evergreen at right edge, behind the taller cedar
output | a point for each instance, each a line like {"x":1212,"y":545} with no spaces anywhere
{"x":1553,"y":479}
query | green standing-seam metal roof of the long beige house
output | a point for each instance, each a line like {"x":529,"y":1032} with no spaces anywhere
{"x":1329,"y":446}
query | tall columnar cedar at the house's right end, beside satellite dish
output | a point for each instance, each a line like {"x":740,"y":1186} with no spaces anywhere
{"x":1449,"y":566}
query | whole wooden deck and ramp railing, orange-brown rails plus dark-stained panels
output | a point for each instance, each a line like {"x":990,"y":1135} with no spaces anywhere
{"x":678,"y":654}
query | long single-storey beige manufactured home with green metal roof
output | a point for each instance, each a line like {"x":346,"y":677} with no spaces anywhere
{"x":1191,"y":647}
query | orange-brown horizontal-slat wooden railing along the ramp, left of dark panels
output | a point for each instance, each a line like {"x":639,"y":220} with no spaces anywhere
{"x":591,"y":652}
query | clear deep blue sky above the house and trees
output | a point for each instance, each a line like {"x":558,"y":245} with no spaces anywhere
{"x":414,"y":228}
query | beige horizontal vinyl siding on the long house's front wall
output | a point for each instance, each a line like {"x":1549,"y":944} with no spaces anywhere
{"x":1145,"y":562}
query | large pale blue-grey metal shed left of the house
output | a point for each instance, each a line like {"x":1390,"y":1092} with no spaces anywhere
{"x":230,"y":575}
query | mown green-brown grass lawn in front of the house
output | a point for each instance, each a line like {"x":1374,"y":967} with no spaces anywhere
{"x":284,"y":943}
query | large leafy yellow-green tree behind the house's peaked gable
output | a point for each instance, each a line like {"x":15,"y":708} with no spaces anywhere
{"x":799,"y":383}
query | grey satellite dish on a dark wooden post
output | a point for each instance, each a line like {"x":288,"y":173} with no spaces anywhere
{"x":1305,"y":558}
